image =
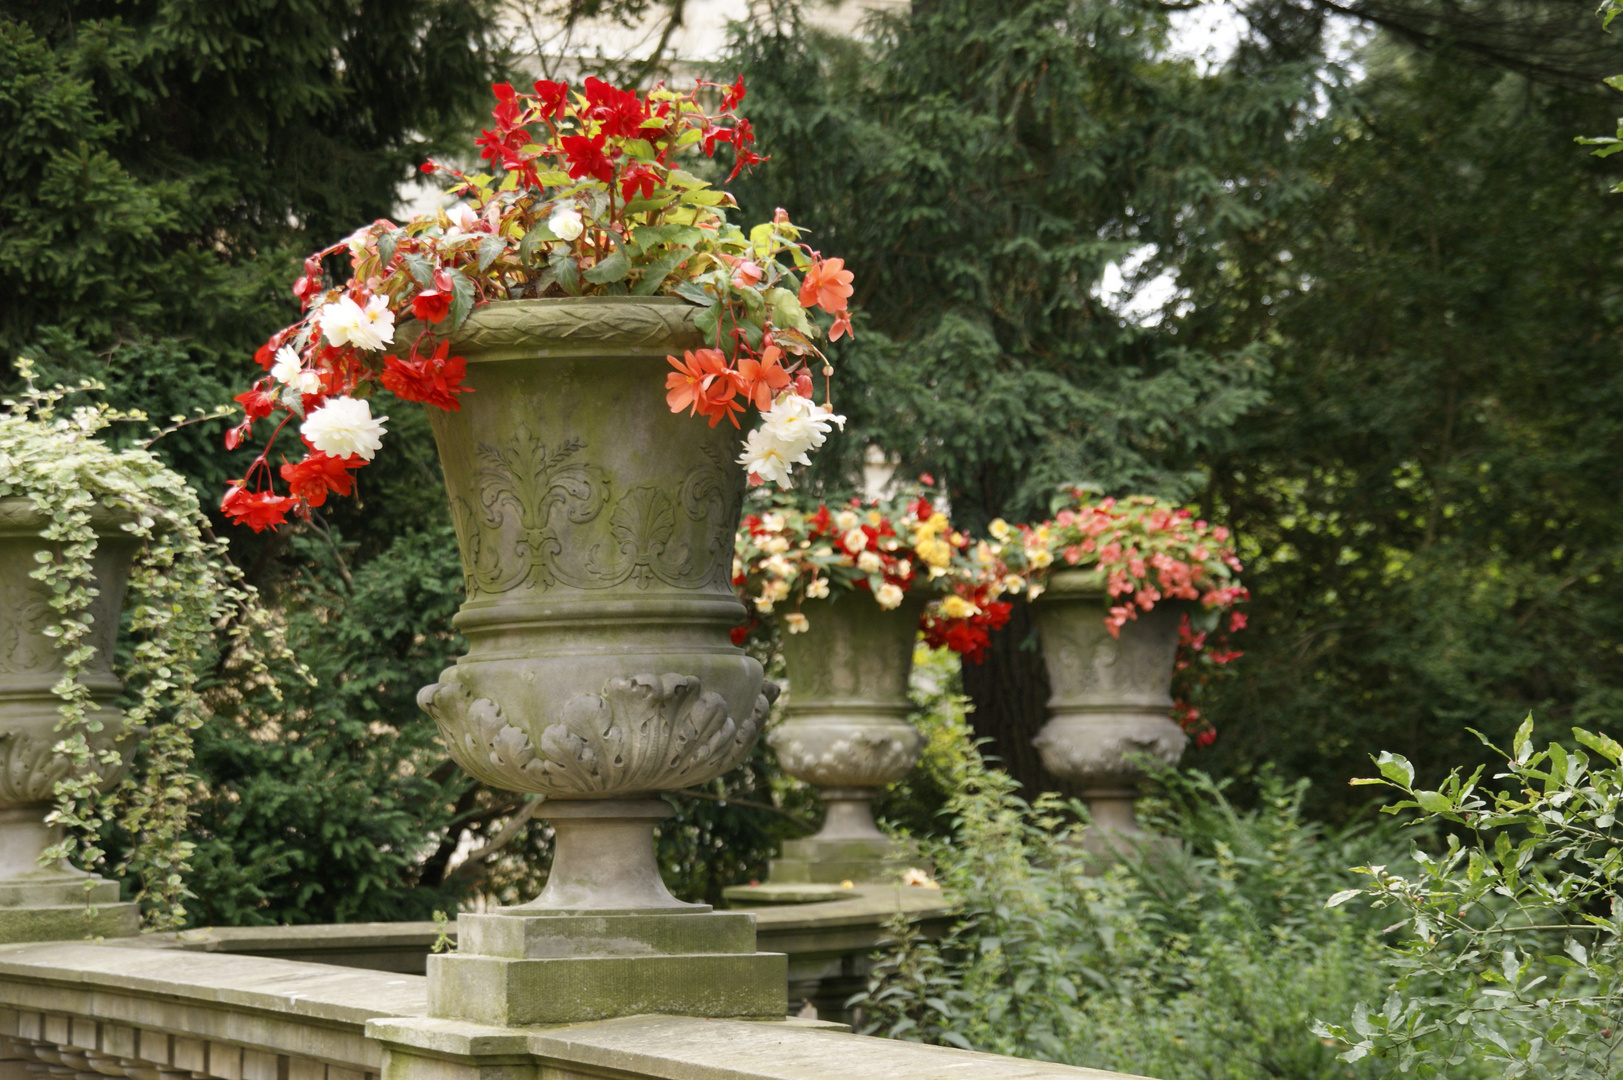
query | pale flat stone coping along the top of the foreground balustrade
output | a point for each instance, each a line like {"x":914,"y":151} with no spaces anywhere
{"x":358,"y":1019}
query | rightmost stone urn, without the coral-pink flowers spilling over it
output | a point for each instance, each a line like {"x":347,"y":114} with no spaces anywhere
{"x":1111,"y":699}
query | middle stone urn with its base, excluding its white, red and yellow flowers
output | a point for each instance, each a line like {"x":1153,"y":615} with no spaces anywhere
{"x":846,"y":732}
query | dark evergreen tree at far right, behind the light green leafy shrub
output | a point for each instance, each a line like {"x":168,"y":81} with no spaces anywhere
{"x":1429,"y":503}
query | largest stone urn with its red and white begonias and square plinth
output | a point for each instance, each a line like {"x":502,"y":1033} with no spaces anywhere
{"x":590,"y":334}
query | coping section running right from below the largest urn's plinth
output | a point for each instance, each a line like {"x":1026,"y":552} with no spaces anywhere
{"x":687,"y":1048}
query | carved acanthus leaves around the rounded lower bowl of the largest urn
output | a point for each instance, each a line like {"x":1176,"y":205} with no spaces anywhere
{"x":647,"y":733}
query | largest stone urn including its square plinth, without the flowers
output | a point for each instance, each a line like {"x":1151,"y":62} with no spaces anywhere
{"x":596,"y":537}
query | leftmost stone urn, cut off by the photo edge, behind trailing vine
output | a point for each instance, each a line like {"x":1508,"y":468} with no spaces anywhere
{"x":58,"y":902}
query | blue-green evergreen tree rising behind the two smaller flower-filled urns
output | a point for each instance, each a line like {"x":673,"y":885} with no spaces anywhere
{"x":979,"y":168}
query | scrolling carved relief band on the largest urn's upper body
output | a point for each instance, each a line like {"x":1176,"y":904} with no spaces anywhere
{"x":538,"y":506}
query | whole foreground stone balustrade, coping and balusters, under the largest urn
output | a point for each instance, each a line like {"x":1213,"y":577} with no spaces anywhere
{"x":157,"y":1009}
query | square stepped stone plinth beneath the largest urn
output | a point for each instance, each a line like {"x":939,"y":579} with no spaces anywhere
{"x":517,"y":969}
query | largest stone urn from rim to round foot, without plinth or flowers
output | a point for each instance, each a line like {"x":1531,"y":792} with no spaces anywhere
{"x":596,"y":534}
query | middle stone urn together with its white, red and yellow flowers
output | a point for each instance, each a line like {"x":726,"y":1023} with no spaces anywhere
{"x":848,"y":590}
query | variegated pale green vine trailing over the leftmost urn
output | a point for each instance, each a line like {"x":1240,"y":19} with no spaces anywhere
{"x":186,"y":602}
